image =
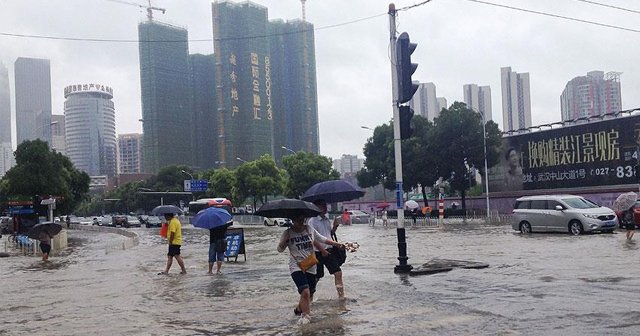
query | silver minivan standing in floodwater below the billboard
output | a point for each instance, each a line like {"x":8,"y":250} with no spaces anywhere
{"x":563,"y":213}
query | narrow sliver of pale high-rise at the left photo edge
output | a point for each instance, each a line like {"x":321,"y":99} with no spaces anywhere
{"x":6,"y":149}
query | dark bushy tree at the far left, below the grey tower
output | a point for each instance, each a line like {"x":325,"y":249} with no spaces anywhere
{"x":42,"y":172}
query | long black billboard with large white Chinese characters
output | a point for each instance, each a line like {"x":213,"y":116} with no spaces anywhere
{"x":599,"y":153}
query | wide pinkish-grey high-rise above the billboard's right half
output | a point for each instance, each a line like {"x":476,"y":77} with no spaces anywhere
{"x":591,"y":95}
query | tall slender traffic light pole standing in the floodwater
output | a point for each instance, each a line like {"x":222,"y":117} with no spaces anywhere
{"x":403,"y":266}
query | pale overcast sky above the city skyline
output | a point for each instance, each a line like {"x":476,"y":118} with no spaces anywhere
{"x":459,"y":42}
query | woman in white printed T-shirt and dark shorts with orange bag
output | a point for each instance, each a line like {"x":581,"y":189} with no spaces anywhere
{"x":300,"y":239}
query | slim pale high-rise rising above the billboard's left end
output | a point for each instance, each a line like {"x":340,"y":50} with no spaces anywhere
{"x":516,"y":100}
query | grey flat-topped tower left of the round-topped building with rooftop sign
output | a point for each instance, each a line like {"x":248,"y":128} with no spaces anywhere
{"x":33,"y":99}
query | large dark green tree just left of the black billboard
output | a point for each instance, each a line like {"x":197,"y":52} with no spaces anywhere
{"x":463,"y":149}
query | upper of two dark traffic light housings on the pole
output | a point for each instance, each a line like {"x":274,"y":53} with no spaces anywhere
{"x":404,"y":49}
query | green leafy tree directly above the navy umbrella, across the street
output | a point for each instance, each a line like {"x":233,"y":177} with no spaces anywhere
{"x":305,"y":169}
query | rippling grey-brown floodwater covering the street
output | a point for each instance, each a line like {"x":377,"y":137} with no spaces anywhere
{"x":540,"y":284}
